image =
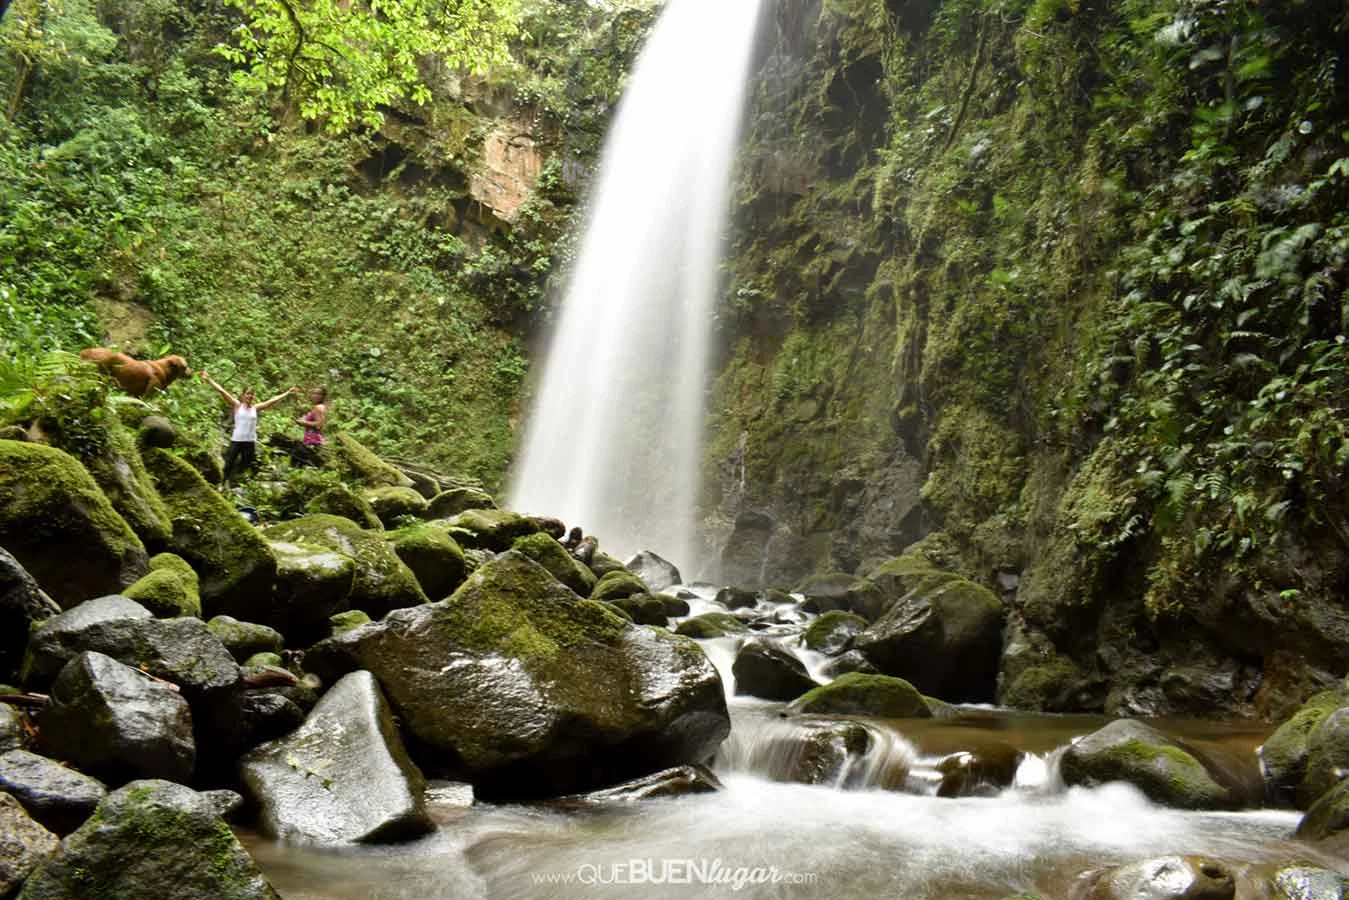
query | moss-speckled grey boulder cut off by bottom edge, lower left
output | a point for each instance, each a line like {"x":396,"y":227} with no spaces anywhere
{"x":152,"y":840}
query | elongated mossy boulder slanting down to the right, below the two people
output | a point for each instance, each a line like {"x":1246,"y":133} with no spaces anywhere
{"x":233,"y":562}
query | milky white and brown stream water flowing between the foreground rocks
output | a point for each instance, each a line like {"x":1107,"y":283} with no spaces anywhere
{"x":869,"y":826}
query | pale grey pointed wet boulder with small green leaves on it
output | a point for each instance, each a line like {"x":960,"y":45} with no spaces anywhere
{"x":343,"y":777}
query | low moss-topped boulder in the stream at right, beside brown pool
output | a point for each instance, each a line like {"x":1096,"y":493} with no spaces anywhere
{"x":1162,"y":768}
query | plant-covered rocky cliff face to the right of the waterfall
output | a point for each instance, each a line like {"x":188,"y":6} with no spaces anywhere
{"x":1057,"y":287}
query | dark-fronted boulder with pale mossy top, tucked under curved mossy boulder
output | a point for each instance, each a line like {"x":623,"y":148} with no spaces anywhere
{"x":312,"y":585}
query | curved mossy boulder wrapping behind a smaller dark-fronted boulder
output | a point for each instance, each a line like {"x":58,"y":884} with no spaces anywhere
{"x":382,"y":581}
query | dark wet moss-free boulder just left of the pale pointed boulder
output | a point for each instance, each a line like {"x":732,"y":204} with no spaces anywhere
{"x":118,"y":724}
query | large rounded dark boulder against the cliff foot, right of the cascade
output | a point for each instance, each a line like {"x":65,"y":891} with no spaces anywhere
{"x":944,"y":635}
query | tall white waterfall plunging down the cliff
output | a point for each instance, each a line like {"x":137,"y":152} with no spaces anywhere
{"x":614,"y":438}
